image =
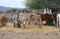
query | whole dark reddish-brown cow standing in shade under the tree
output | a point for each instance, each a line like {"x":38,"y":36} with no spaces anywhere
{"x":47,"y":18}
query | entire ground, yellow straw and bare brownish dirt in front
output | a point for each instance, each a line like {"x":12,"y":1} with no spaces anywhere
{"x":30,"y":32}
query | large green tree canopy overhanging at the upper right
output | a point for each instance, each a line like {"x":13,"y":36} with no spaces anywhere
{"x":38,"y":4}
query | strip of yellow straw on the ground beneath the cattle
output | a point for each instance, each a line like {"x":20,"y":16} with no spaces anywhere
{"x":30,"y":28}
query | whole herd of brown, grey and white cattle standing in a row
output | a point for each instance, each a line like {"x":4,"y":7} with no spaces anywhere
{"x":20,"y":19}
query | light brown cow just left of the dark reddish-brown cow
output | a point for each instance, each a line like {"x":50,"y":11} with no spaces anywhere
{"x":36,"y":18}
